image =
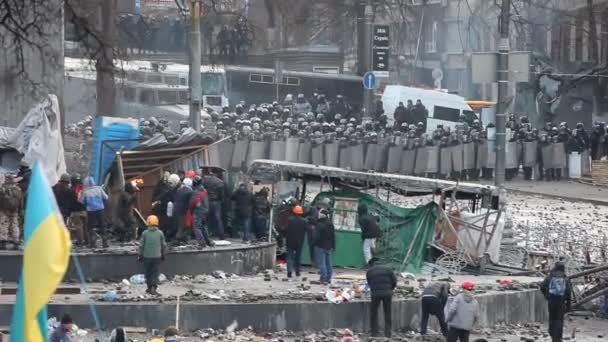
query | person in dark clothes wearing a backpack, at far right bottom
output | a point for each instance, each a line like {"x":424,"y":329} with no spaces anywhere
{"x":558,"y":291}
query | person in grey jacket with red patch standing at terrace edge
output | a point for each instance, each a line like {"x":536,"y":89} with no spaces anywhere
{"x":198,"y":212}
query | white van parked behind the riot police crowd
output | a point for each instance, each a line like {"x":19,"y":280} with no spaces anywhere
{"x":443,"y":108}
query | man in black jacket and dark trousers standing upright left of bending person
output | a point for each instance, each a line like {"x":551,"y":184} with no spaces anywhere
{"x":381,"y":281}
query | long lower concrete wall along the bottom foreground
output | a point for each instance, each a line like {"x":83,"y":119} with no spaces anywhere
{"x":499,"y":307}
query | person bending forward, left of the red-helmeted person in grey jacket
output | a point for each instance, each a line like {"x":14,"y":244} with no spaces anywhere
{"x":434,"y":297}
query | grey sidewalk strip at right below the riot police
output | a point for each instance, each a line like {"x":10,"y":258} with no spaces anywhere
{"x":566,"y":189}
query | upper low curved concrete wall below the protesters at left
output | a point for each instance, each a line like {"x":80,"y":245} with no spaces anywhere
{"x":99,"y":266}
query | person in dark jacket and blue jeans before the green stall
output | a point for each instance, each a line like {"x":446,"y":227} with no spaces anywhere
{"x":325,"y":245}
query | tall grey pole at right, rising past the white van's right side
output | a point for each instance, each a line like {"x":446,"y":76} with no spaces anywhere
{"x":503,"y":91}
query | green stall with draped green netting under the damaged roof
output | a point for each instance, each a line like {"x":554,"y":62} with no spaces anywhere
{"x":399,"y":226}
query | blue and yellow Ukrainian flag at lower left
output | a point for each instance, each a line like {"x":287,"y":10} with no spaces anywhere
{"x":46,"y":252}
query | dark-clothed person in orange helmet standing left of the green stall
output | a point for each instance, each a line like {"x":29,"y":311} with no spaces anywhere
{"x":294,"y":235}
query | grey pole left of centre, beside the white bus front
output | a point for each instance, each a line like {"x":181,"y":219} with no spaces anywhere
{"x":196,"y":90}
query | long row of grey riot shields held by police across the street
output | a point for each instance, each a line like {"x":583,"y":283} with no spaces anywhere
{"x":470,"y":158}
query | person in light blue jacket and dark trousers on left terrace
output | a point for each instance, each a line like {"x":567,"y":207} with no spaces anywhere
{"x":94,"y":198}
